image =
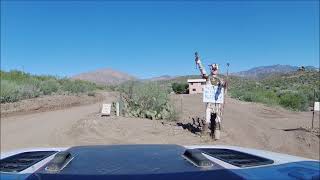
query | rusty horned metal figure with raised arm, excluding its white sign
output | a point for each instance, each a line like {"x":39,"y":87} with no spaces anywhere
{"x":212,"y":109}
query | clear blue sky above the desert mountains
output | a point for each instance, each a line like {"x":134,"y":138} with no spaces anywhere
{"x":148,"y":39}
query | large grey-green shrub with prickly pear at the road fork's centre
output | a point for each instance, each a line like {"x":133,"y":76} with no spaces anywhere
{"x":146,"y":100}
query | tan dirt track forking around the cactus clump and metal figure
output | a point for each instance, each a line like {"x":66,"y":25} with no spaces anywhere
{"x":245,"y":124}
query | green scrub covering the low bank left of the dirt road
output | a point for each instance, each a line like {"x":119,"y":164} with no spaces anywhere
{"x":18,"y":85}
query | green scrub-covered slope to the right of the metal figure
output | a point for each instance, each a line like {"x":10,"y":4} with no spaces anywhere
{"x":293,"y":91}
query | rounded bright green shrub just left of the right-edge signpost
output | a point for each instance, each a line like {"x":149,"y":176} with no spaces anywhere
{"x":294,"y":101}
